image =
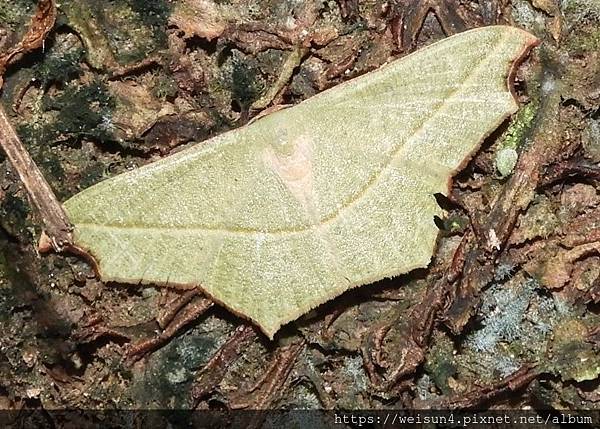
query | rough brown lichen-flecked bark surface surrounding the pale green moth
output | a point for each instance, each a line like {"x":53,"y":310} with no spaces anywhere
{"x":66,"y":335}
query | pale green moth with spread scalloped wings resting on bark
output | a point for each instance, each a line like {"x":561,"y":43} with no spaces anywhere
{"x":282,"y":215}
